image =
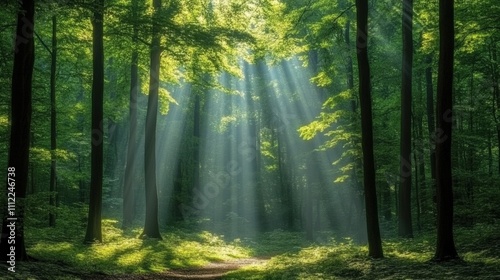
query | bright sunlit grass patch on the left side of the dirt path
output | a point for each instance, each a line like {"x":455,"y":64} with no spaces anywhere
{"x":122,"y":252}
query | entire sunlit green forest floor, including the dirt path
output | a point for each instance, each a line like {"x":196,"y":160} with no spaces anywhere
{"x":59,"y":254}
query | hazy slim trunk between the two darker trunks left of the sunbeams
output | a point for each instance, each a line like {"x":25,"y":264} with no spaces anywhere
{"x":130,"y":169}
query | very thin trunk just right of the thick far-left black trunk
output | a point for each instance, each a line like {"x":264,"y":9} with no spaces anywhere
{"x":53,"y":134}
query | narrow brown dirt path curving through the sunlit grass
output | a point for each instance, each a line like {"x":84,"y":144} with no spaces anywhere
{"x":210,"y":271}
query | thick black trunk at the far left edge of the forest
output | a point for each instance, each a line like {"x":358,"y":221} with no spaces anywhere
{"x":19,"y":133}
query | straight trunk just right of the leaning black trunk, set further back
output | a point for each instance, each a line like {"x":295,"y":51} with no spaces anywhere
{"x":404,"y":215}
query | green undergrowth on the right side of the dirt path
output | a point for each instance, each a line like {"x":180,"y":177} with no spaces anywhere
{"x":479,"y":249}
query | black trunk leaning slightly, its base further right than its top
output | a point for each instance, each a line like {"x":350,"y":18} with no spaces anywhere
{"x":372,"y":225}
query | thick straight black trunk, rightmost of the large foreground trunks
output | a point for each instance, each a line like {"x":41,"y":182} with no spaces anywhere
{"x":445,"y":249}
